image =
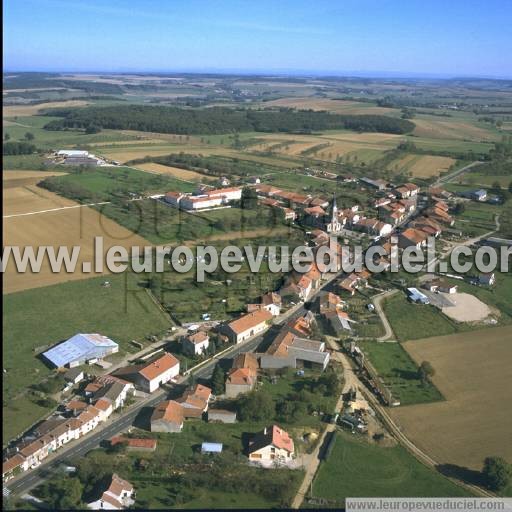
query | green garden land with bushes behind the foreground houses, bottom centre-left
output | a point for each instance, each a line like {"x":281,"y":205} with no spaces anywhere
{"x":178,"y":476}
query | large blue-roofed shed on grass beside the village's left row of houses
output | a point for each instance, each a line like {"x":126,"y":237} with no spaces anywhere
{"x":80,"y":349}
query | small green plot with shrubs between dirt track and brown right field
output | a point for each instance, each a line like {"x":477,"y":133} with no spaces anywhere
{"x":400,"y":373}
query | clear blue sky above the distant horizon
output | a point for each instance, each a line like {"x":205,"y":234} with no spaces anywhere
{"x":395,"y":37}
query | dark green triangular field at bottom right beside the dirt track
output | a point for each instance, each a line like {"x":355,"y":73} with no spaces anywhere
{"x":356,"y":468}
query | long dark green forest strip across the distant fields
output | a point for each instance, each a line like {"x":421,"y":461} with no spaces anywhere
{"x":219,"y":120}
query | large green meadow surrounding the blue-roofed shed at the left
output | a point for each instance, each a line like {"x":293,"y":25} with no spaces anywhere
{"x":37,"y":319}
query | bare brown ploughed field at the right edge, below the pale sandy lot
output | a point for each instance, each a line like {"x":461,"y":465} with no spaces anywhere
{"x":472,"y":371}
